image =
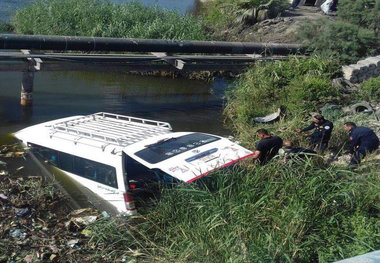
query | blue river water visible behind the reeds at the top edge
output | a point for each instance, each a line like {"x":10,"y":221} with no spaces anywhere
{"x":8,"y":7}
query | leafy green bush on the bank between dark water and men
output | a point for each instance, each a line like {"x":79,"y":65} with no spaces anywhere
{"x":268,"y":86}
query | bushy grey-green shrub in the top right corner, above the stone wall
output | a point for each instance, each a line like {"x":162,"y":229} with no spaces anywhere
{"x":352,"y":36}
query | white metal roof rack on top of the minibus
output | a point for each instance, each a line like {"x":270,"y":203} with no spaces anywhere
{"x":109,"y":128}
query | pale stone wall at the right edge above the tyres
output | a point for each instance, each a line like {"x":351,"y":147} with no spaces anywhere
{"x":362,"y":70}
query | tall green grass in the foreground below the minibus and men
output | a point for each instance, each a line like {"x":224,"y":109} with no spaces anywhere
{"x":299,"y":213}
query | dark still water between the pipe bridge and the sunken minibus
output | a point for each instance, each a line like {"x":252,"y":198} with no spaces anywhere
{"x":186,"y":104}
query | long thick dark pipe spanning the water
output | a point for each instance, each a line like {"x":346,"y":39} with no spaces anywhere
{"x":65,"y":43}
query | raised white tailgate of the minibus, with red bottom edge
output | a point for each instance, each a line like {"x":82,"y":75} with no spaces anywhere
{"x":184,"y":156}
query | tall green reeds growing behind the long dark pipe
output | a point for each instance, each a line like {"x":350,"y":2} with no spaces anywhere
{"x":104,"y":19}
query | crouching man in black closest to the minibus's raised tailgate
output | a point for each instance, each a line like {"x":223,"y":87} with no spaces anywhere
{"x":267,"y":147}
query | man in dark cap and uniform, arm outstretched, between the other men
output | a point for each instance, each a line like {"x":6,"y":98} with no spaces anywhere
{"x":320,"y":138}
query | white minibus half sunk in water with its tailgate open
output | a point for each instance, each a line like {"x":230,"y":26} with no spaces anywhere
{"x":114,"y":155}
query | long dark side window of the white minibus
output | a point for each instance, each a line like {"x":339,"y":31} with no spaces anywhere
{"x":92,"y":170}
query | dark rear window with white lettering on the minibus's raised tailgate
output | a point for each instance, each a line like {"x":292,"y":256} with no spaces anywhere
{"x":171,"y":147}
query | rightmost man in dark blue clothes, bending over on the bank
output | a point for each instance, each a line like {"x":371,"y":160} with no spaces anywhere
{"x":363,"y":140}
